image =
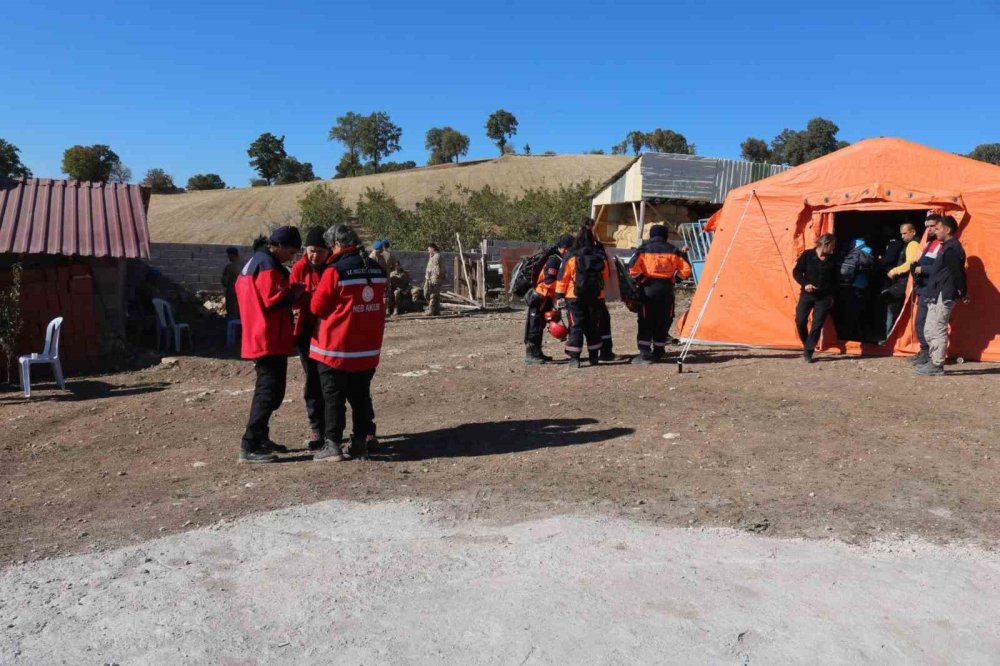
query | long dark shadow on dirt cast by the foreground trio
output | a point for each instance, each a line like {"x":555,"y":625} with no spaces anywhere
{"x":493,"y":438}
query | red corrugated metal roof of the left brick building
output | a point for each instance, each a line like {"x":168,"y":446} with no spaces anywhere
{"x":71,"y":217}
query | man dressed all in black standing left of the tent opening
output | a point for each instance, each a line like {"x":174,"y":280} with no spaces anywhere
{"x":816,"y":273}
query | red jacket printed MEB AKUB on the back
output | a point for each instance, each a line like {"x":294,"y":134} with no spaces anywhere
{"x":349,"y":303}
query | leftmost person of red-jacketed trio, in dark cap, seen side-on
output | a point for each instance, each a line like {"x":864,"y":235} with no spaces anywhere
{"x":265,"y":299}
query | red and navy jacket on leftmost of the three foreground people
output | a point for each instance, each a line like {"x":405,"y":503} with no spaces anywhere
{"x":265,"y":307}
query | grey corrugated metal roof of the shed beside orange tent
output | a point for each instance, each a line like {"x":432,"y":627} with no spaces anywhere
{"x":683,"y":177}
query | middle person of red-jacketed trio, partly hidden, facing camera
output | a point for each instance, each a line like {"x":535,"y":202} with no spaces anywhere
{"x":307,"y":272}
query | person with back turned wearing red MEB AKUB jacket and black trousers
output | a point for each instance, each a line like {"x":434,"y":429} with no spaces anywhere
{"x":348,"y":342}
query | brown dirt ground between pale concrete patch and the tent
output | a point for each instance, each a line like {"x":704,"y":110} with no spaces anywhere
{"x":852,"y":449}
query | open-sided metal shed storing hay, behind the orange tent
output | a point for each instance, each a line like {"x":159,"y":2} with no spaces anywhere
{"x":667,"y":188}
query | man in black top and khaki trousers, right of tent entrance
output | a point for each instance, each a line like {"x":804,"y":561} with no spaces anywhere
{"x":945,"y":288}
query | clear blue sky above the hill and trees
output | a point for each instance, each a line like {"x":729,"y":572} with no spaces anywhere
{"x":186,"y":86}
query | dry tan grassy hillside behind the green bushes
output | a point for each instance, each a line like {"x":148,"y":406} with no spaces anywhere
{"x":236,"y":215}
